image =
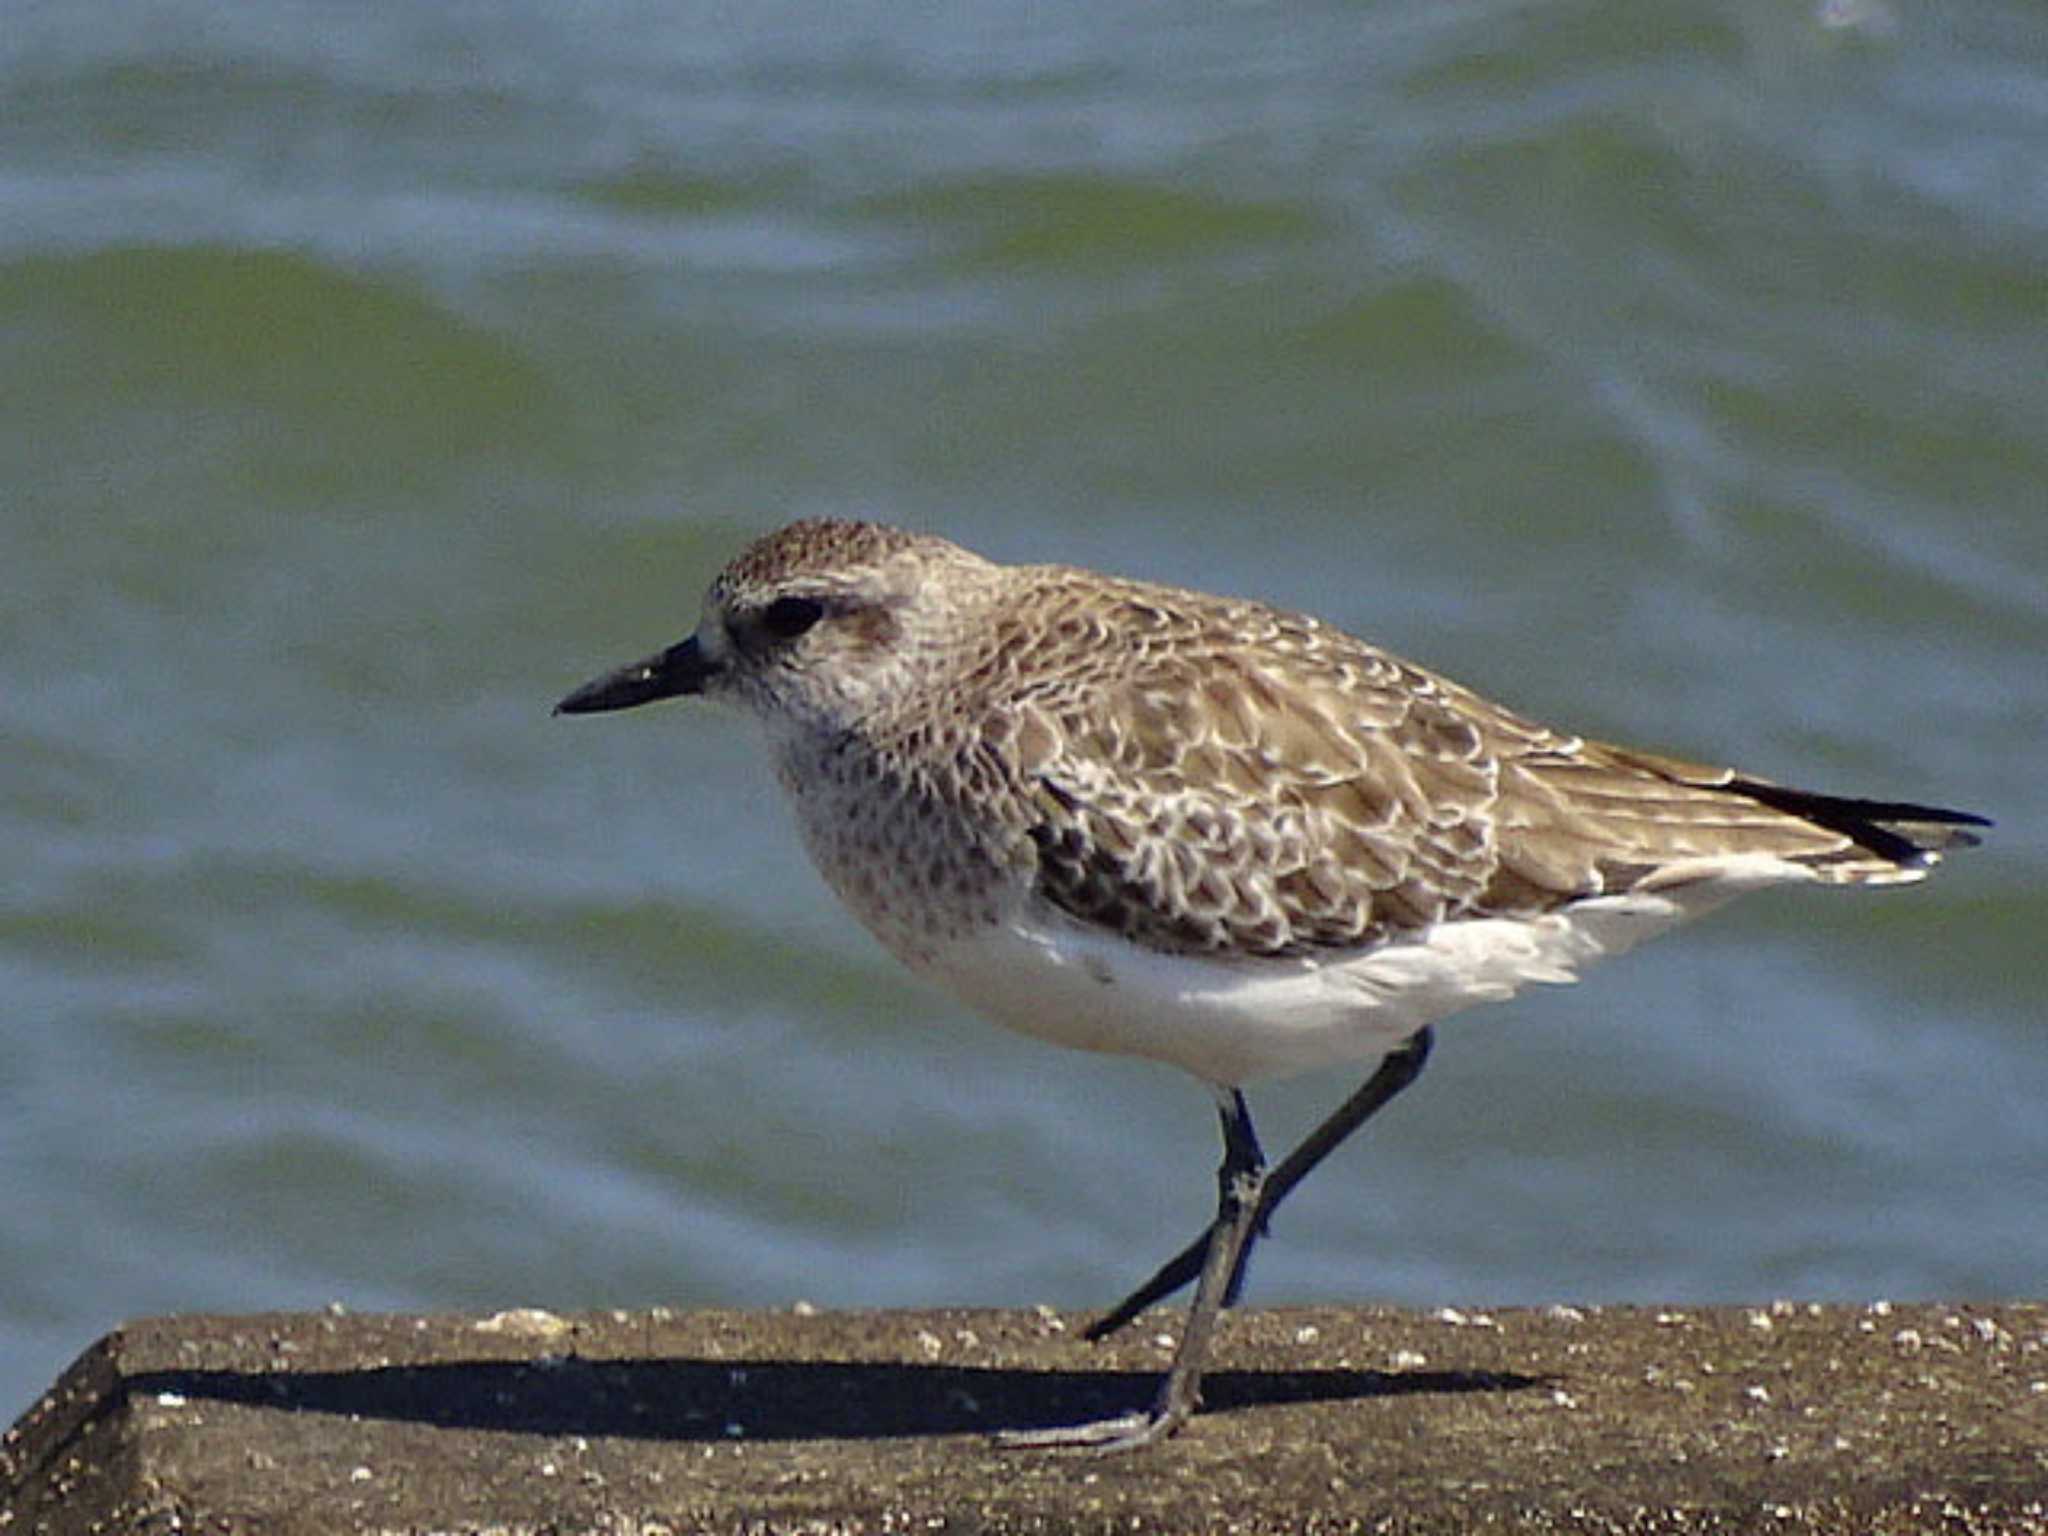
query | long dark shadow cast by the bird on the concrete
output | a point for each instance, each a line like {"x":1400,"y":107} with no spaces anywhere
{"x":718,"y":1400}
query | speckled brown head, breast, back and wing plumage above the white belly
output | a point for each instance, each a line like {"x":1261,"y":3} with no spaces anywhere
{"x":1203,"y":775}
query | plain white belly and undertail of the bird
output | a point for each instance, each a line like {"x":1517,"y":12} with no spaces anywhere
{"x":1238,"y":1021}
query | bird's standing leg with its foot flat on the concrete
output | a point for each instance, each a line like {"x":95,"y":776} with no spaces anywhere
{"x":1240,"y":1185}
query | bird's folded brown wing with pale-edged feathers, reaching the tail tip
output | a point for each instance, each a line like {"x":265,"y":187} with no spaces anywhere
{"x":1232,"y":777}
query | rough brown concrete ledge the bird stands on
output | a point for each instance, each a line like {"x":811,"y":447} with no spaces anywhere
{"x":1783,"y":1418}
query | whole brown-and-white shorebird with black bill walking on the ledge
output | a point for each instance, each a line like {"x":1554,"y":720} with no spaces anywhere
{"x":1211,"y":833}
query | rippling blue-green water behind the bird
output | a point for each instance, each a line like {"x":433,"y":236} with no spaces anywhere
{"x":376,"y":374}
